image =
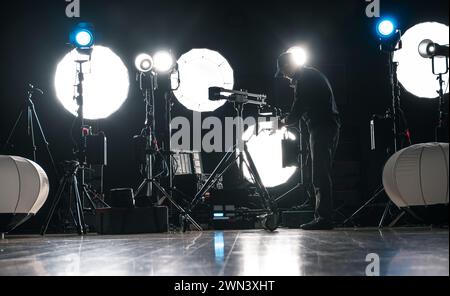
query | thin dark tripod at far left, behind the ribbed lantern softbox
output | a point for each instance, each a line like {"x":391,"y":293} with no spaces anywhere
{"x":30,"y":111}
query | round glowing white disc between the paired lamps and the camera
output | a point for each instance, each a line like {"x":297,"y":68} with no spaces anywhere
{"x":199,"y":70}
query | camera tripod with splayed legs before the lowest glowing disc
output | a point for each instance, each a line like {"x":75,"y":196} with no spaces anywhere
{"x":268,"y":215}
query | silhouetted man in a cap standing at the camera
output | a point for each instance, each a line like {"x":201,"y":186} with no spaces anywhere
{"x":314,"y":103}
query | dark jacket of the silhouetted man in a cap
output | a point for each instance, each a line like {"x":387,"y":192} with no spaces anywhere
{"x":314,"y":100}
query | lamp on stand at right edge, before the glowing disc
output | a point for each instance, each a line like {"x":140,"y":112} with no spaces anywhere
{"x":430,"y":50}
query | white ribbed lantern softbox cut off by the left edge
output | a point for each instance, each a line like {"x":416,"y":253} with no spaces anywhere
{"x":24,"y":188}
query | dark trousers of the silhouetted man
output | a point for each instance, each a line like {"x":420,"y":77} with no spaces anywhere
{"x":323,"y":143}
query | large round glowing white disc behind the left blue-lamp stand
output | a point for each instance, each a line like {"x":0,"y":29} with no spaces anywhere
{"x":105,"y":86}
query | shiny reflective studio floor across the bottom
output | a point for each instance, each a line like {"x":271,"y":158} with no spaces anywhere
{"x":253,"y":252}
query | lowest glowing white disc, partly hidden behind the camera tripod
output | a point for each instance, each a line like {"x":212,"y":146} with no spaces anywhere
{"x":266,"y":151}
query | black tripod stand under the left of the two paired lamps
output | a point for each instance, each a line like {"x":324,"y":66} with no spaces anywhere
{"x":148,"y":87}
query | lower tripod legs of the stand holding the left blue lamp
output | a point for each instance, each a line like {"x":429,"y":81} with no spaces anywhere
{"x":69,"y":180}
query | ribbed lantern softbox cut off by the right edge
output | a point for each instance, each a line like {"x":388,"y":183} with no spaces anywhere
{"x":418,"y":175}
